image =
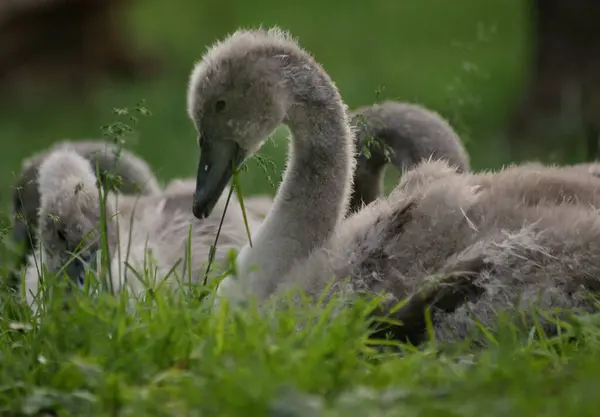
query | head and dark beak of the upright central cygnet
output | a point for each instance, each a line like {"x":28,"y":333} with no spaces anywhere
{"x":238,"y":94}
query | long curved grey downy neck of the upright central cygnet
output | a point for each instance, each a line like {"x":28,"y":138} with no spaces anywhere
{"x":315,"y":191}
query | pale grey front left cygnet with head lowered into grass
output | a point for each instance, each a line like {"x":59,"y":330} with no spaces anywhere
{"x":142,"y":229}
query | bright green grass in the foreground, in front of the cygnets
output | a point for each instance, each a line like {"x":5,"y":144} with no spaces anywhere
{"x":171,"y":355}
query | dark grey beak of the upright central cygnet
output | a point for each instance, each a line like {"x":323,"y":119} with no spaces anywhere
{"x":218,"y":160}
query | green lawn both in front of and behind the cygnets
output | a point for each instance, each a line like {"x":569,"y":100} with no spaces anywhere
{"x":171,"y":355}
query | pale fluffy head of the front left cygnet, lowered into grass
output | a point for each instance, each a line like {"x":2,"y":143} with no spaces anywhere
{"x":69,"y":217}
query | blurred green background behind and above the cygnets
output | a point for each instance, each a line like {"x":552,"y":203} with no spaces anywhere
{"x":464,"y":59}
